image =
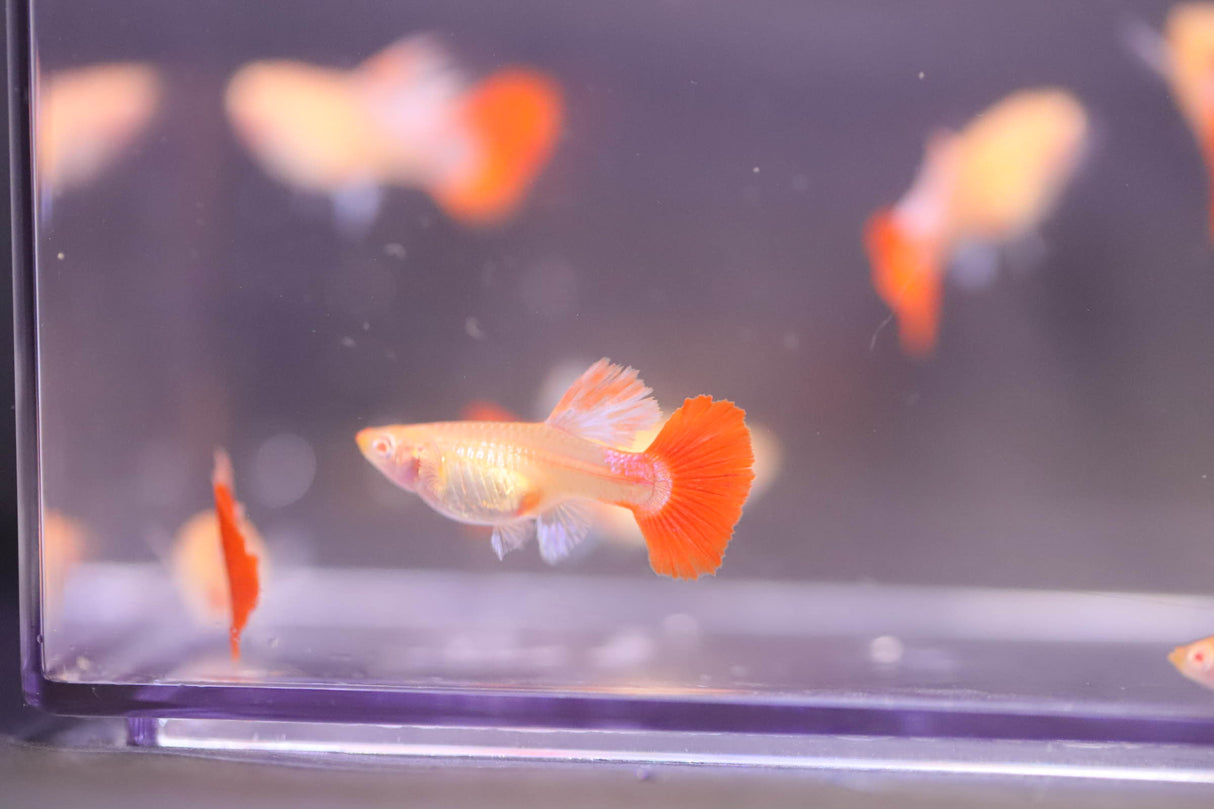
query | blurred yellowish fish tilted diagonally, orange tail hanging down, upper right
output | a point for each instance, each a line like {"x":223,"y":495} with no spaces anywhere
{"x":989,"y":184}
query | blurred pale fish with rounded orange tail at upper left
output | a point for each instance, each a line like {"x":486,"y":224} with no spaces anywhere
{"x":406,"y":117}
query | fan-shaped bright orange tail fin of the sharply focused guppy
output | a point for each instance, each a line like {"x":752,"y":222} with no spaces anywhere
{"x":705,"y":457}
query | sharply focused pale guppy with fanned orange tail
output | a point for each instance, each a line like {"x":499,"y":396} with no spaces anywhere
{"x":685,"y":490}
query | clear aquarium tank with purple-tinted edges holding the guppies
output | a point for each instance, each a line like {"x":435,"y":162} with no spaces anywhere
{"x":954,"y":261}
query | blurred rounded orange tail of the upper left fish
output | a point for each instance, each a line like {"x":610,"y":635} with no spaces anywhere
{"x":514,"y":118}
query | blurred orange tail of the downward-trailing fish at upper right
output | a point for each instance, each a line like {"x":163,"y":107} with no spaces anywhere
{"x":909,"y":278}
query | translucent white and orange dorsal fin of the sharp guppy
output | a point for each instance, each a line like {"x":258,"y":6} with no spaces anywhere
{"x":608,"y":404}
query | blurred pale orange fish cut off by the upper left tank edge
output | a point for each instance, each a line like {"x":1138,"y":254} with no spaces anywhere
{"x":87,"y":118}
